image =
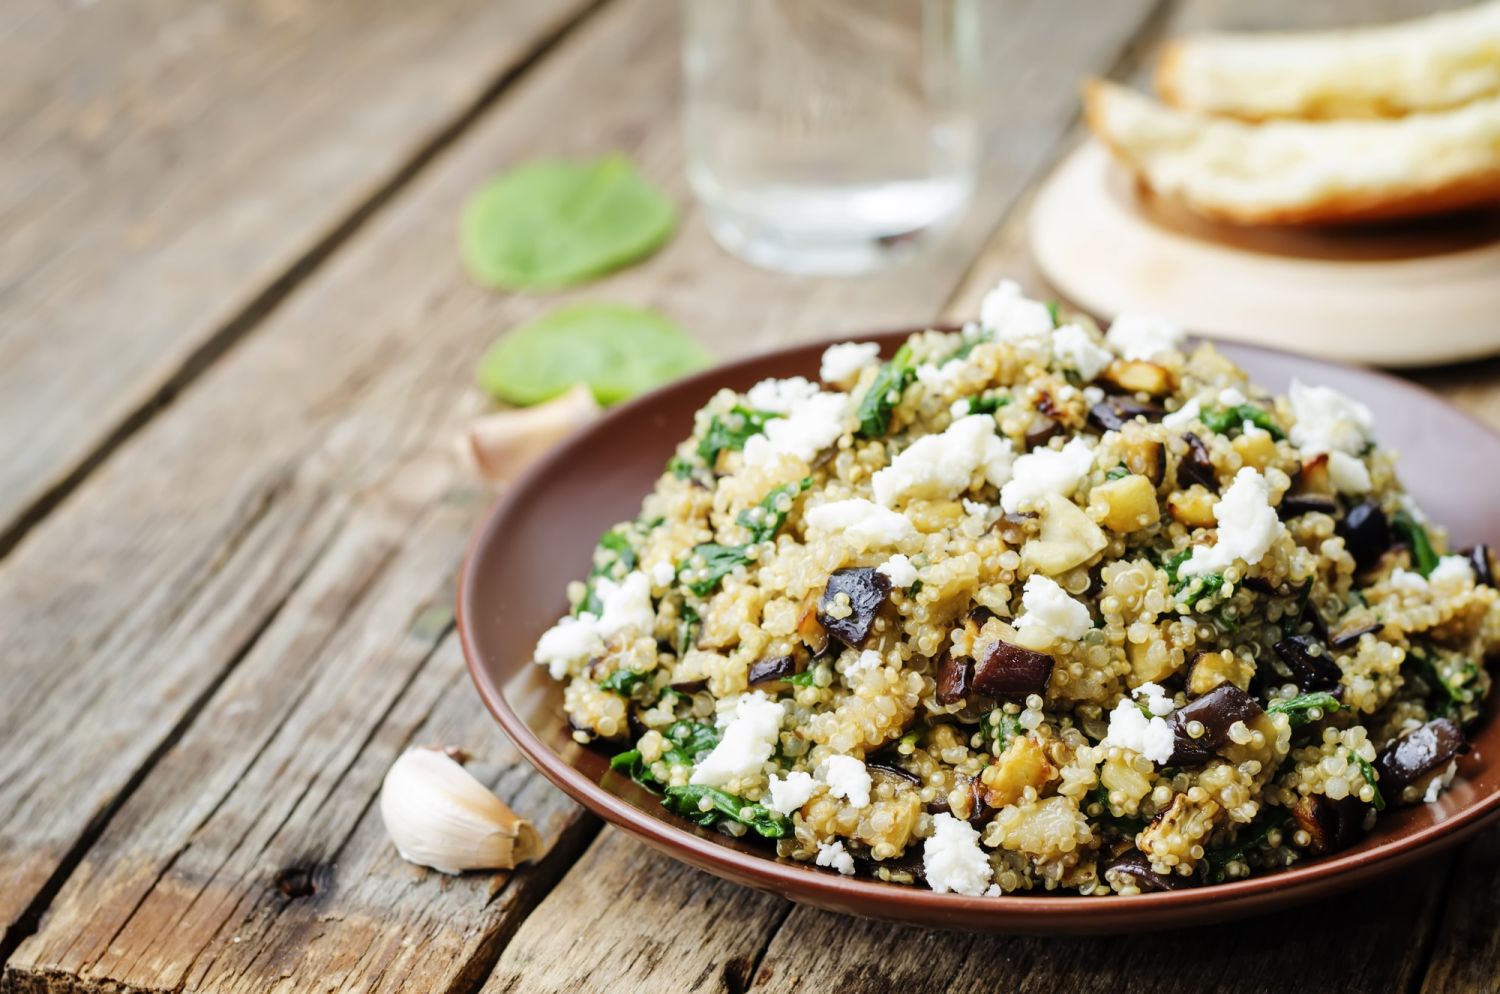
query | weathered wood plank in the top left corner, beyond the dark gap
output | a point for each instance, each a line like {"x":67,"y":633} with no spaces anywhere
{"x":173,"y":166}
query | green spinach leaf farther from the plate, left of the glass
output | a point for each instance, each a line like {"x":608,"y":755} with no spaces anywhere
{"x":551,"y":224}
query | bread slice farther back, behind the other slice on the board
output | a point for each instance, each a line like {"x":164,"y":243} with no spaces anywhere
{"x":1424,"y":65}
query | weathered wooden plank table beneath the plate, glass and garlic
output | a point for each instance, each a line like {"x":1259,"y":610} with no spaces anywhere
{"x":235,"y":344}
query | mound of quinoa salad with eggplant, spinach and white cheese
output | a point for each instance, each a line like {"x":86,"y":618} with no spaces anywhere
{"x":1031,"y":608}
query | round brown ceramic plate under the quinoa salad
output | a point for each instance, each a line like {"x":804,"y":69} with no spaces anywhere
{"x":542,"y":536}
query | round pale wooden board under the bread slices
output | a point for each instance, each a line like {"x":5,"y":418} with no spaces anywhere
{"x":1411,"y":295}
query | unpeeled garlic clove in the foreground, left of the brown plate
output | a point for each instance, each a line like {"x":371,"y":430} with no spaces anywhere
{"x":440,"y":816}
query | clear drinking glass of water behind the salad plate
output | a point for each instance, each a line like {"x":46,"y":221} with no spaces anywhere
{"x":830,"y":136}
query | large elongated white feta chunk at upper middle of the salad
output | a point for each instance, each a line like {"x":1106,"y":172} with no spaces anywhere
{"x":944,"y":466}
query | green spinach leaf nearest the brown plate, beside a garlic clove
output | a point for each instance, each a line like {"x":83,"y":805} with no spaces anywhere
{"x":619,"y":352}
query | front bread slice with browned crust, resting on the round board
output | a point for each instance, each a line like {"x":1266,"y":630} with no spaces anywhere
{"x":1303,"y":173}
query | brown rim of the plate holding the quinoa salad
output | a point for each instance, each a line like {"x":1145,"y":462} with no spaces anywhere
{"x":884,"y":900}
